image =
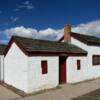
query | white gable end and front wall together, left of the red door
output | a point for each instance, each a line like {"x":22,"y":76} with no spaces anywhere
{"x":25,"y":73}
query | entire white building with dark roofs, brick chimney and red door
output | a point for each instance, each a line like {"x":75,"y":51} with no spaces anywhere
{"x":32,"y":65}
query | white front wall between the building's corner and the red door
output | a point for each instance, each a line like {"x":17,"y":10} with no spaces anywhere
{"x":37,"y":80}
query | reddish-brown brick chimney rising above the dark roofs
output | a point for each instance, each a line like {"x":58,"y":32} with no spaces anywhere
{"x":67,"y":33}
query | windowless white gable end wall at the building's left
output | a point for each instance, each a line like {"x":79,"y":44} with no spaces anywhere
{"x":15,"y":69}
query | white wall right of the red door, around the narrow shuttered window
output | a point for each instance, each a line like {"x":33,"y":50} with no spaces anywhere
{"x":74,"y":75}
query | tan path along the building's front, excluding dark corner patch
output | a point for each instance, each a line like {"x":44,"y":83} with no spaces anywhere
{"x":67,"y":91}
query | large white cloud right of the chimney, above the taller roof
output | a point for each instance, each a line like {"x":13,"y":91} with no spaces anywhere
{"x":90,"y":28}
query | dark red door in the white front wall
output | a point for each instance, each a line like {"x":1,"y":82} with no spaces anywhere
{"x":62,"y":70}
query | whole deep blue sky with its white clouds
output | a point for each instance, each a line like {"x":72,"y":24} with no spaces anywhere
{"x":45,"y":19}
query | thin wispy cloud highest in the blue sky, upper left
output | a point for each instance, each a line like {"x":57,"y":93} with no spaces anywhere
{"x":24,"y":6}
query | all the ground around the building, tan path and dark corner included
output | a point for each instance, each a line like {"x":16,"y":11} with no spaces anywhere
{"x":66,"y":92}
